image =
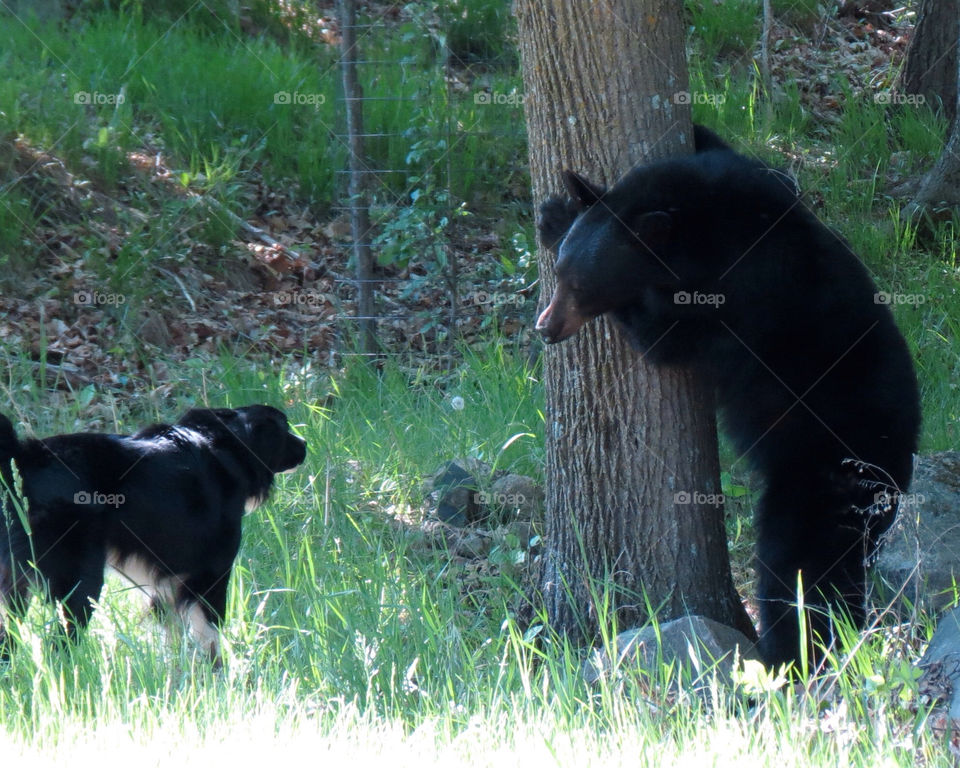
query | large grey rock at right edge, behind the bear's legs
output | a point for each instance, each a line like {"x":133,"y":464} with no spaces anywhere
{"x":920,"y":556}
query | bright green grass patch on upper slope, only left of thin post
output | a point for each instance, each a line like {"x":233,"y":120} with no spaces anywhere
{"x":197,"y":92}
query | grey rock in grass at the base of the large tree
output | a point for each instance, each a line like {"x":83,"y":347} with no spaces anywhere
{"x":702,"y":645}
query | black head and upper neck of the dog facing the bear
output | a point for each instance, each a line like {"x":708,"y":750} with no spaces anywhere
{"x":256,"y":435}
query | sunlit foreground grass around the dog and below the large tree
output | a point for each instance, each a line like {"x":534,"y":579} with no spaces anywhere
{"x":347,"y":633}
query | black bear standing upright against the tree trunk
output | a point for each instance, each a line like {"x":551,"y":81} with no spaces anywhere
{"x":713,"y":260}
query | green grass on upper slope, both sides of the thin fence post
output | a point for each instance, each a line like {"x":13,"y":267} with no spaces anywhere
{"x":205,"y":97}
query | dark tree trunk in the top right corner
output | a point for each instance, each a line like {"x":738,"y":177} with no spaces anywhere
{"x":931,"y":66}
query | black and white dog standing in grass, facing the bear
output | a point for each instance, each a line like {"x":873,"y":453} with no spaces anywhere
{"x":163,"y":507}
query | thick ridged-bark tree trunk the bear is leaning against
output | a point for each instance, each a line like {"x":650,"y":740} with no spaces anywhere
{"x":625,"y":442}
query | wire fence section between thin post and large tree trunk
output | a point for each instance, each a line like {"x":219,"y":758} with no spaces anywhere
{"x":435,"y":196}
